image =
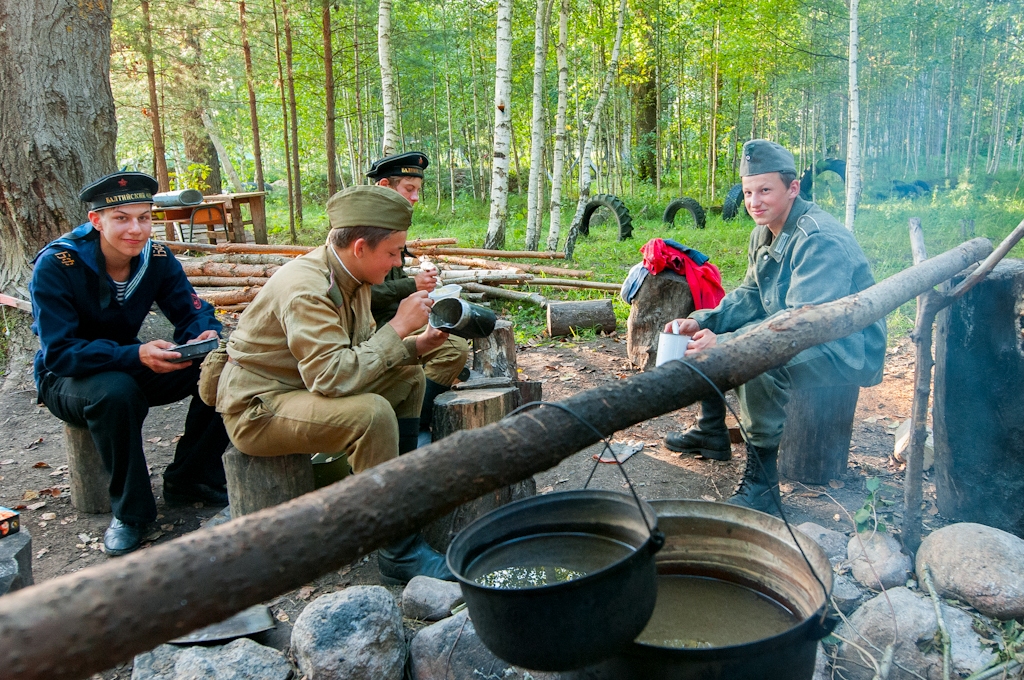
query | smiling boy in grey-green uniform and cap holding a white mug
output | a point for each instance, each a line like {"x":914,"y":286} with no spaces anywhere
{"x":798,"y":256}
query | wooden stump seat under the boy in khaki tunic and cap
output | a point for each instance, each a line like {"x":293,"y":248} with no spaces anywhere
{"x":255,"y":483}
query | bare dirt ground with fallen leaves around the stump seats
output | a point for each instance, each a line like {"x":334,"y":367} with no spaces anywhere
{"x":33,"y":465}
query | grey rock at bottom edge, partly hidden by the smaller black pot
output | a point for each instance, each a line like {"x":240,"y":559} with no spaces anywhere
{"x":451,"y":651}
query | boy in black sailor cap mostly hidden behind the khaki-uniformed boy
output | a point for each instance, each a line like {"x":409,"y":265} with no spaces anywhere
{"x":404,"y":174}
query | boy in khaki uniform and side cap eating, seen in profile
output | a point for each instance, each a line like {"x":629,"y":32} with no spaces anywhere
{"x":310,"y":372}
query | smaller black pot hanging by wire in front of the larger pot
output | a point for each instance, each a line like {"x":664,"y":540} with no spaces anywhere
{"x":568,"y":625}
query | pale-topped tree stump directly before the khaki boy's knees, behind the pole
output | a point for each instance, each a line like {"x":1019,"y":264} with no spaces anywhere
{"x":464,"y":411}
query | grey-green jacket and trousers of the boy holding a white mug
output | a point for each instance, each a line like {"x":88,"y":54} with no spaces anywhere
{"x":814,"y":261}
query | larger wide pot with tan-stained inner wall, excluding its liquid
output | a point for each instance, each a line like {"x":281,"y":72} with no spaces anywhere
{"x":746,"y":547}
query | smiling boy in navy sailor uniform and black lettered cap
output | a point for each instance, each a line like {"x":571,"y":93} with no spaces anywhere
{"x":92,"y":290}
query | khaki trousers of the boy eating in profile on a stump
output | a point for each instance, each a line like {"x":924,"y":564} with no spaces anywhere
{"x":365,"y":427}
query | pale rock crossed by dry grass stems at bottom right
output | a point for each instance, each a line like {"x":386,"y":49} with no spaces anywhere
{"x":916,"y":649}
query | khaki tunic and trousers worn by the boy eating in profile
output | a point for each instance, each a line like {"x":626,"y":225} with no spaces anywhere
{"x":311,"y":373}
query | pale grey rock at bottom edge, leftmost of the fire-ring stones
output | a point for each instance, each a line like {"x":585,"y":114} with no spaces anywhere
{"x":241,"y":660}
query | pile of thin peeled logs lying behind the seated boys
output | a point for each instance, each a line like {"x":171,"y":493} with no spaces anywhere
{"x":230,"y":276}
